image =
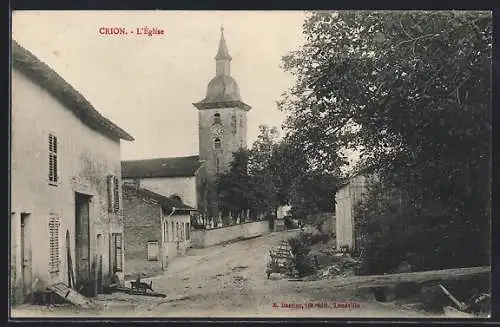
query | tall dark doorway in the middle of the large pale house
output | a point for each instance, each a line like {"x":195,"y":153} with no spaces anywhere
{"x":82,"y":244}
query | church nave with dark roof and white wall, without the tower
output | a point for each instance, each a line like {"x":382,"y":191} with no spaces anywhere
{"x":181,"y":177}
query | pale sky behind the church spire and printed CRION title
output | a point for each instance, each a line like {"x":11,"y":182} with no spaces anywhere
{"x":147,"y":85}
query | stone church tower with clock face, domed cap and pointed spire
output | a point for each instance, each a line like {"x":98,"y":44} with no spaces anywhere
{"x":222,"y":122}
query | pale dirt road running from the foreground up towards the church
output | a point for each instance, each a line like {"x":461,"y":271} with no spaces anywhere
{"x":230,"y":281}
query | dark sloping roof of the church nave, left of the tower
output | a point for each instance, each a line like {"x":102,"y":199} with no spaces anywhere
{"x":161,"y":167}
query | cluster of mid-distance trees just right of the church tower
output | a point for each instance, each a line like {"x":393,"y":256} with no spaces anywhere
{"x":274,"y":172}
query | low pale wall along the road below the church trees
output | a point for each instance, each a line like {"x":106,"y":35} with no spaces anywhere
{"x":209,"y":237}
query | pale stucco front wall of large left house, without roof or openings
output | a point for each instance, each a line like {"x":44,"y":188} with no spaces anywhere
{"x":85,"y":157}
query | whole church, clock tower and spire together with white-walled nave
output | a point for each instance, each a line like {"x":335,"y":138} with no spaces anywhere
{"x":222,"y":130}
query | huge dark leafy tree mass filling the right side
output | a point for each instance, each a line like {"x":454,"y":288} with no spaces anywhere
{"x":412,"y":92}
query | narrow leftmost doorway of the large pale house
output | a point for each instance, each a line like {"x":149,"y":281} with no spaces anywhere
{"x":26,"y":264}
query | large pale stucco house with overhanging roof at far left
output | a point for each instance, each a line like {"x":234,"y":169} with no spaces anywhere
{"x":65,"y":174}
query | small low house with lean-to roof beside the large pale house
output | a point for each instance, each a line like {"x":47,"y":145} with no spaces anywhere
{"x":157,"y":229}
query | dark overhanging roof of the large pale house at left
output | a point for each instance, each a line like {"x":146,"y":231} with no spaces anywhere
{"x":47,"y":78}
